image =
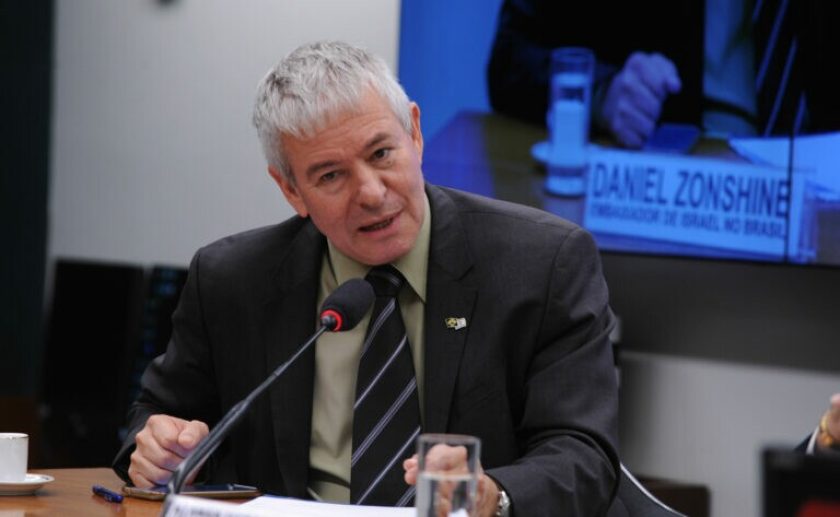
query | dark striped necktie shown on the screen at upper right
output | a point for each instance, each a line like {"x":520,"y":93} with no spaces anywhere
{"x":778,"y":82}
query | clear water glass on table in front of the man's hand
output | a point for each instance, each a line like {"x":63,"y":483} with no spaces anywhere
{"x":448,"y":471}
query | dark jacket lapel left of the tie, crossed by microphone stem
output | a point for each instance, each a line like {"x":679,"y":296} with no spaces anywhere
{"x":289,"y":320}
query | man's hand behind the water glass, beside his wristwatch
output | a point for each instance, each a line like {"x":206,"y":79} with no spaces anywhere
{"x":453,"y":460}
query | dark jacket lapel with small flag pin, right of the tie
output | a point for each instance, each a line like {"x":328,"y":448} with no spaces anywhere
{"x":449,"y":295}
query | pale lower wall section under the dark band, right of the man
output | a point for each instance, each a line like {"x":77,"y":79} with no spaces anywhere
{"x":705,"y":421}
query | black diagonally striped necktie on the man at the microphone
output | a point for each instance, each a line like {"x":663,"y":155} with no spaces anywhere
{"x":386,"y":414}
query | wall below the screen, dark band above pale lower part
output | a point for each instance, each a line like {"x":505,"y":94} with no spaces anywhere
{"x":721,"y":359}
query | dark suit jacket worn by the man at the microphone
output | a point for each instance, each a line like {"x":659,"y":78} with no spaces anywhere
{"x":531,"y":375}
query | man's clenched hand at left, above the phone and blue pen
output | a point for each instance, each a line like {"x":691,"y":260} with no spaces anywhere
{"x":162,"y":445}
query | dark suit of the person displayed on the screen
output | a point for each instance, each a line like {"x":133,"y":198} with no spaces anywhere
{"x":528,"y":30}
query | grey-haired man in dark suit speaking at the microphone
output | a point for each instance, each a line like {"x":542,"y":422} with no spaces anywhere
{"x":504,"y":308}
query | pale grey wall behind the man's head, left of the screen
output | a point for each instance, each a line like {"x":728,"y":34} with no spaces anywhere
{"x":153,"y":149}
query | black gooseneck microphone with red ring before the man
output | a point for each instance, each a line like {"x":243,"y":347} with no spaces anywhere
{"x":342,"y":310}
